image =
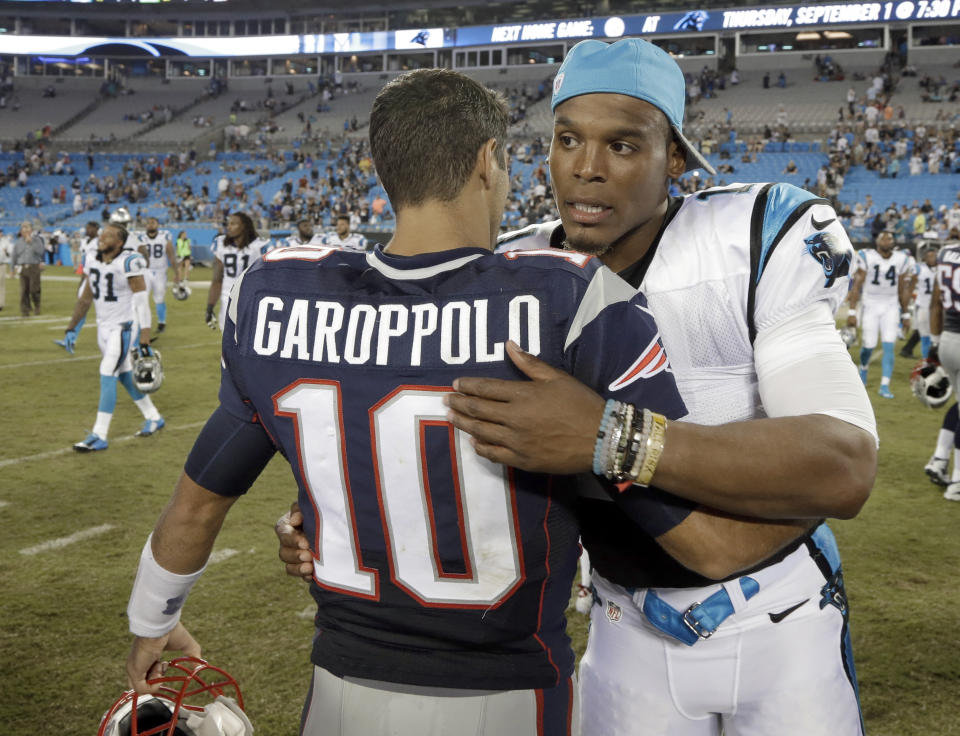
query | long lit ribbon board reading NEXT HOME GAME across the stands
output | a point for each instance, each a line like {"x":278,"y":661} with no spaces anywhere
{"x":694,"y":21}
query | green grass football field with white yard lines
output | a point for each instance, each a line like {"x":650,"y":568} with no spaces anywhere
{"x":73,"y":526}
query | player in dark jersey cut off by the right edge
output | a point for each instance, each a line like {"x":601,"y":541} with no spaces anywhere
{"x":945,"y":333}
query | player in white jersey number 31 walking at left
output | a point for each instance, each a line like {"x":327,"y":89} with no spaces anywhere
{"x":116,"y":284}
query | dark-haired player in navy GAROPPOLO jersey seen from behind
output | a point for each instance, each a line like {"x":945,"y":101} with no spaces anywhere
{"x":441,"y":578}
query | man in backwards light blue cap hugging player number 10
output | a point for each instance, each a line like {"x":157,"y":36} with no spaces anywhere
{"x":743,"y":282}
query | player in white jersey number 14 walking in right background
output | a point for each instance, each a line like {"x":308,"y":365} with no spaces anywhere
{"x":884,"y":280}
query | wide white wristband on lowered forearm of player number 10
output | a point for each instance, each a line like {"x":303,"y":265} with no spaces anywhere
{"x":157,"y":596}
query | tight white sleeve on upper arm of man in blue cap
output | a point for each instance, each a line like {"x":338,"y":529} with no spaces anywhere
{"x":803,"y":367}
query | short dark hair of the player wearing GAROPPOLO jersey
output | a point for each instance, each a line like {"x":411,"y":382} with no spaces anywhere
{"x":425,"y":130}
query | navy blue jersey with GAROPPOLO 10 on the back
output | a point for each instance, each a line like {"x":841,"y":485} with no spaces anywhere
{"x":432,"y":565}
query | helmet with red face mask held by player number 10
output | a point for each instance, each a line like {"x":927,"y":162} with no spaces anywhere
{"x":196,"y":699}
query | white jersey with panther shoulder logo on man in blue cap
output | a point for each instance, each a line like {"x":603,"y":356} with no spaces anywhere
{"x":783,"y":249}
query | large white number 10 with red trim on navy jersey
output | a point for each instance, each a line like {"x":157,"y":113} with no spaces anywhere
{"x":485,"y":500}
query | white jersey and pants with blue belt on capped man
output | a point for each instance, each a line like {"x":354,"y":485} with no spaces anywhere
{"x":744,"y":282}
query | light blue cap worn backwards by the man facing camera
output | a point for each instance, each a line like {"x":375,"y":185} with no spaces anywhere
{"x":631,"y":67}
